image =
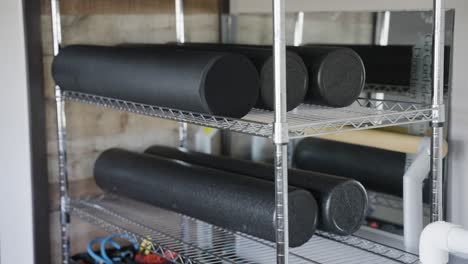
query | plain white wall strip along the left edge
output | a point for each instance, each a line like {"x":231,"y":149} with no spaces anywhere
{"x":16,"y":221}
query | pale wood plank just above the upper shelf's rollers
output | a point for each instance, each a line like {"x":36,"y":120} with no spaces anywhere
{"x":128,"y":28}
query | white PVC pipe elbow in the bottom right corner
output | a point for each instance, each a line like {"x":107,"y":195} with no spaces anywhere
{"x":439,"y":239}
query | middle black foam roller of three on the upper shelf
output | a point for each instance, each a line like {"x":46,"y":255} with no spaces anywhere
{"x":261,"y":57}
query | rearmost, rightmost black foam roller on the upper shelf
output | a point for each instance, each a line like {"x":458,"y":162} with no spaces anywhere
{"x":336,"y":75}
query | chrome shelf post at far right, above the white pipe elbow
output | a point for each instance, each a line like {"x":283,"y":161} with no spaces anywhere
{"x":437,"y":205}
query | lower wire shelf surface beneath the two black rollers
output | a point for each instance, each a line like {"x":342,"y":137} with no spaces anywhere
{"x":198,"y":242}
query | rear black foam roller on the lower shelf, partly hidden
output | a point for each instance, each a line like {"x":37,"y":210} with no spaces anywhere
{"x":342,"y":202}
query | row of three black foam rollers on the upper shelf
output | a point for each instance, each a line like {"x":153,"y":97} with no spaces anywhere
{"x":222,"y":80}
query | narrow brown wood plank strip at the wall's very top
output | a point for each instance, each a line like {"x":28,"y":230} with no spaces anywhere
{"x":86,"y":7}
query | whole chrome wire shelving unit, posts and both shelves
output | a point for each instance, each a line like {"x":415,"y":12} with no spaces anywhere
{"x":197,"y":242}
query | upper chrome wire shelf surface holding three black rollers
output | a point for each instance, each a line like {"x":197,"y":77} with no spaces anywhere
{"x":304,"y":121}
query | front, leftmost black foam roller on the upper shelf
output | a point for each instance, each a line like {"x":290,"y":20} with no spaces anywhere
{"x":199,"y":81}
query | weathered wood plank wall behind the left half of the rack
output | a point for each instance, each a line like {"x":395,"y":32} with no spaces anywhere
{"x":90,"y":129}
